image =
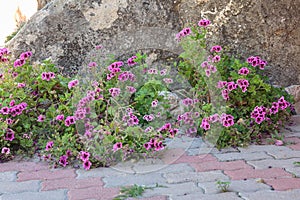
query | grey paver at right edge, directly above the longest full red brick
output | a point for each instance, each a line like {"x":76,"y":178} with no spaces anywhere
{"x":265,"y":164}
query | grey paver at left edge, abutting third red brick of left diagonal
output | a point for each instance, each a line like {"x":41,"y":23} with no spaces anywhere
{"x":17,"y":187}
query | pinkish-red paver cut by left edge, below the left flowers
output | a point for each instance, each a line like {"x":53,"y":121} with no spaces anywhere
{"x":23,"y":166}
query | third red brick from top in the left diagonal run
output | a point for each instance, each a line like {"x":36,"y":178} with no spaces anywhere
{"x":71,"y":183}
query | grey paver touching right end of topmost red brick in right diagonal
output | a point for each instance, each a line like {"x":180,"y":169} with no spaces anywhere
{"x":242,"y":156}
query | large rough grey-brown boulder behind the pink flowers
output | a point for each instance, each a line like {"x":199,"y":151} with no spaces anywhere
{"x":67,"y":30}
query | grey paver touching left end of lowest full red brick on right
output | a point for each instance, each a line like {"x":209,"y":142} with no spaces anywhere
{"x":194,"y":177}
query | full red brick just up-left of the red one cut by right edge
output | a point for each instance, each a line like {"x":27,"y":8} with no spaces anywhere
{"x":242,"y":174}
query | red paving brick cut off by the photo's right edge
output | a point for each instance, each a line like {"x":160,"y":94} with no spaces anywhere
{"x":283,"y":184}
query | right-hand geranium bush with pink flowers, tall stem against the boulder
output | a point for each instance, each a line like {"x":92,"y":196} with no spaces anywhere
{"x":238,"y":105}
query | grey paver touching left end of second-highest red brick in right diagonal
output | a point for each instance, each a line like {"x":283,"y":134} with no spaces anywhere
{"x":172,"y":168}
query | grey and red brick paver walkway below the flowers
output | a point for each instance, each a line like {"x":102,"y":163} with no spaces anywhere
{"x":189,"y":170}
